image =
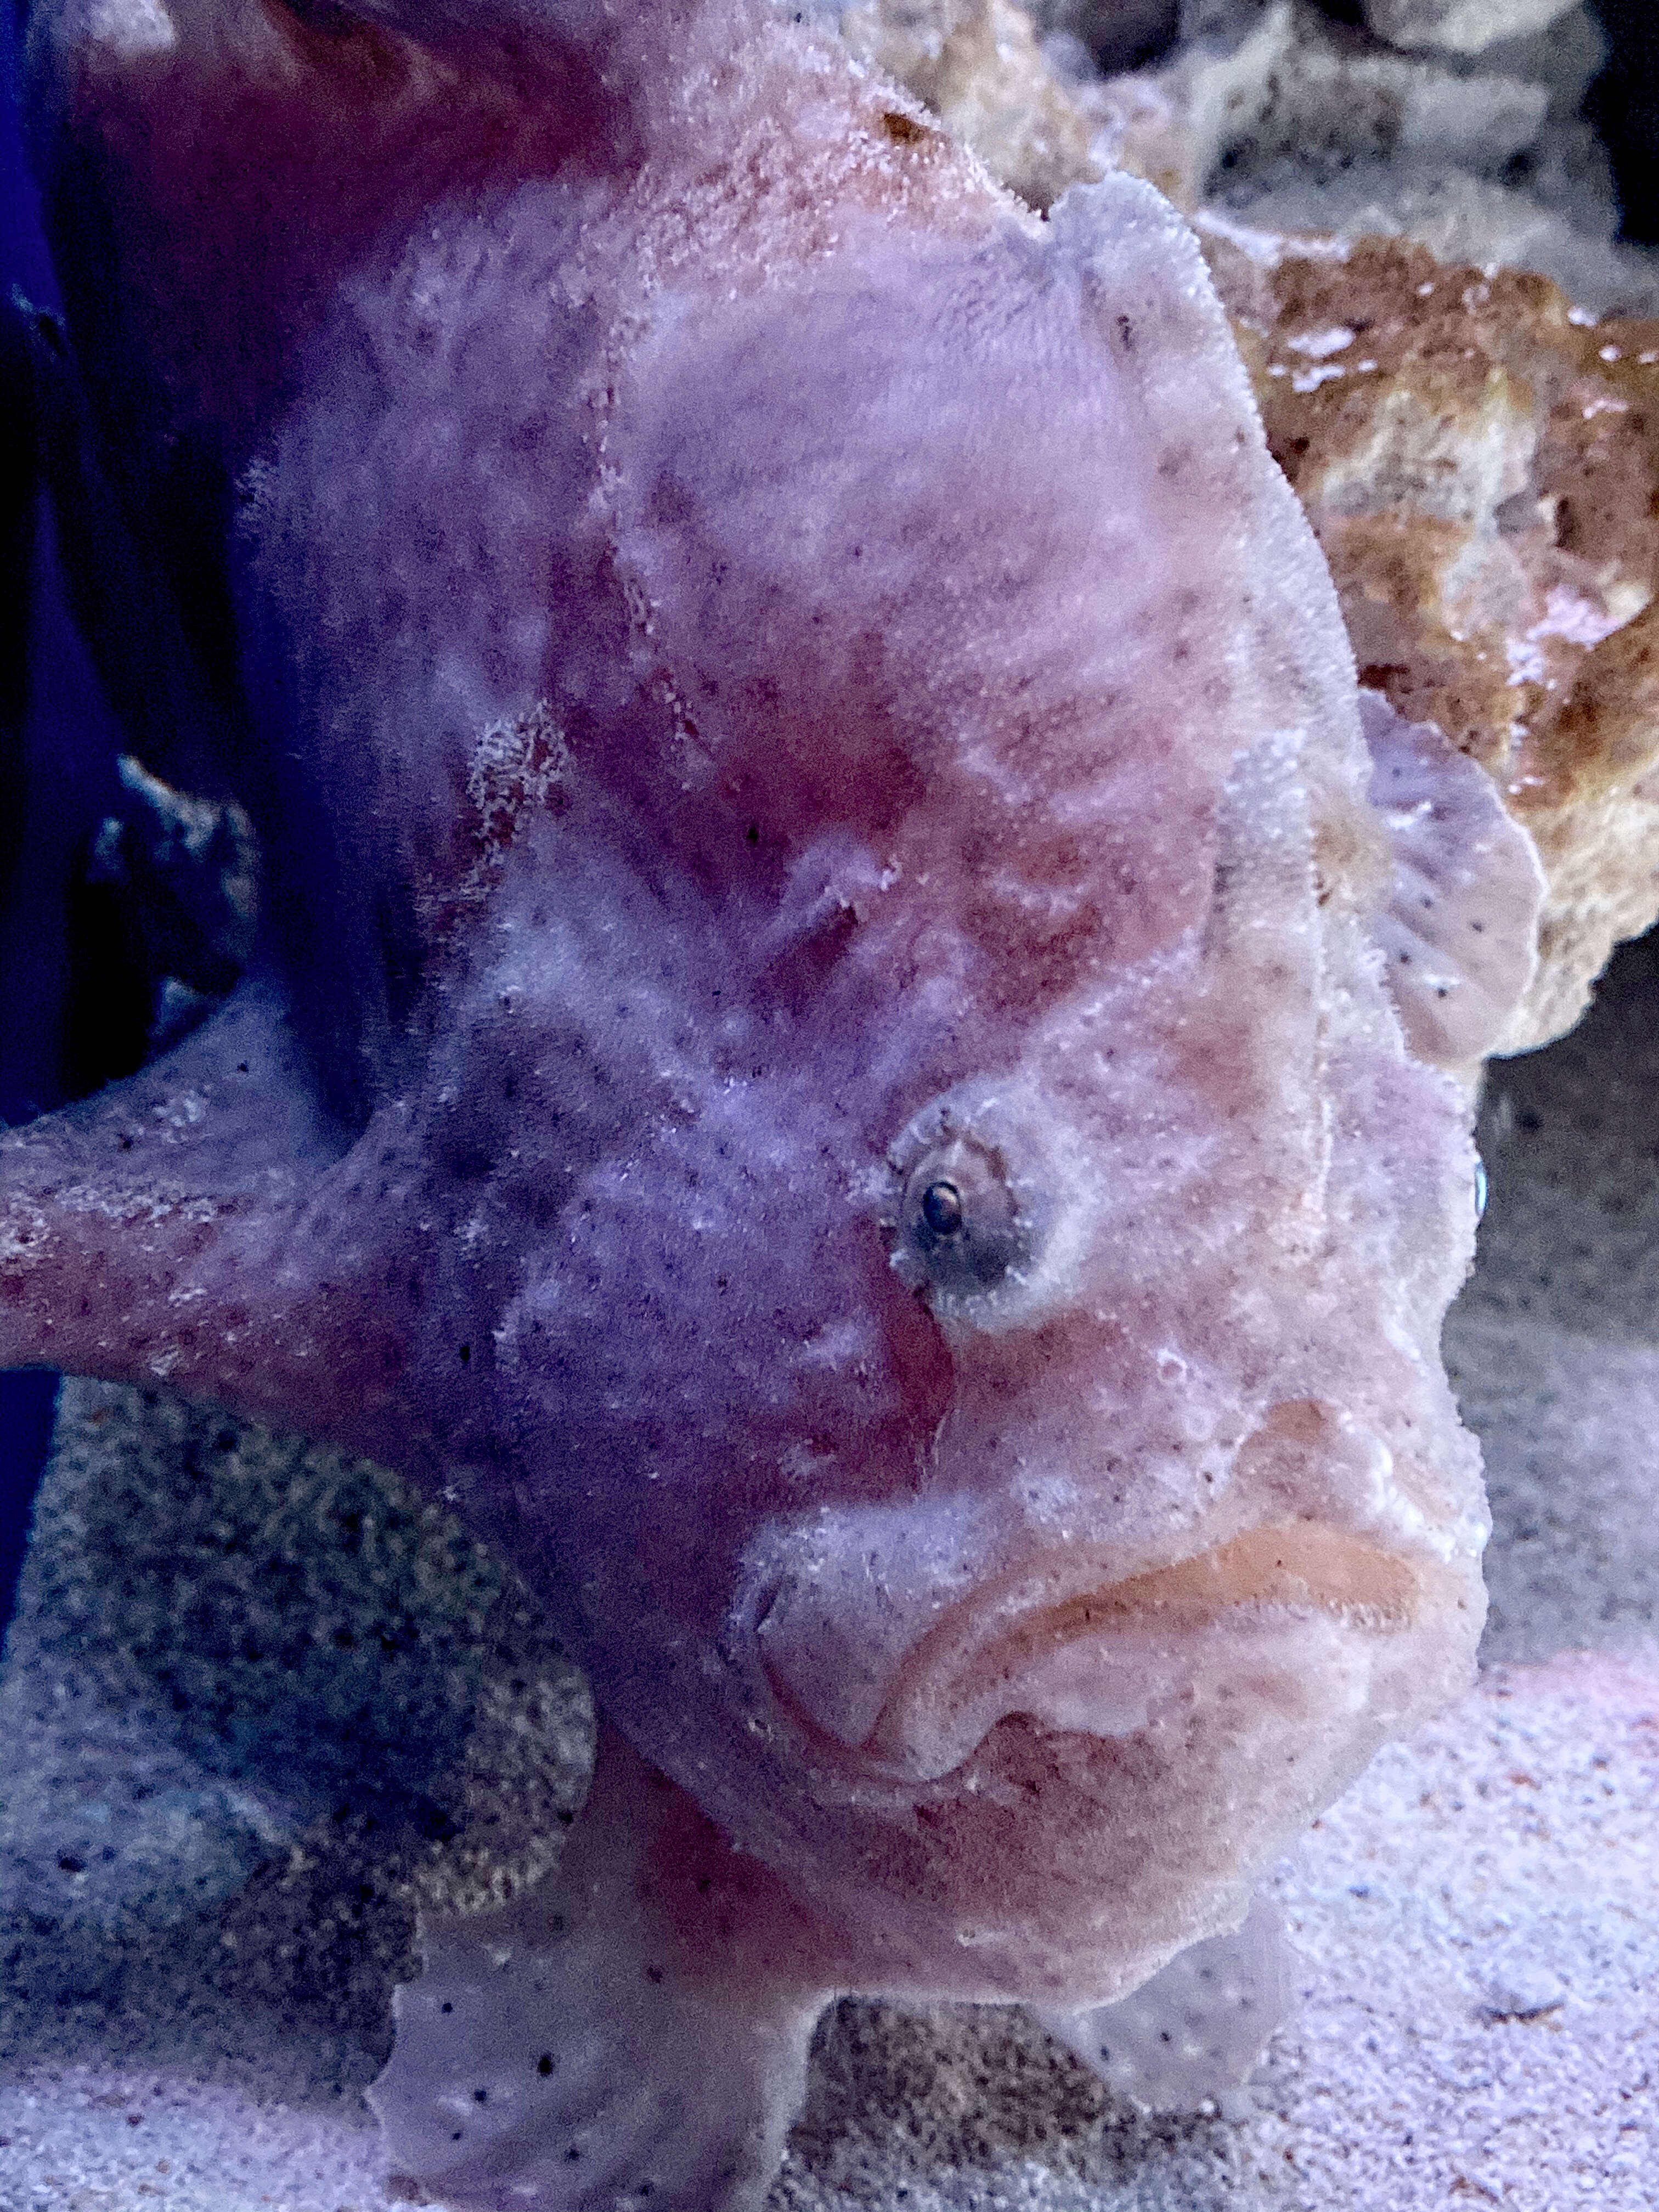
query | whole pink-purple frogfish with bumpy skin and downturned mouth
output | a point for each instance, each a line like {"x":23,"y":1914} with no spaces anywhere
{"x":820,"y":1061}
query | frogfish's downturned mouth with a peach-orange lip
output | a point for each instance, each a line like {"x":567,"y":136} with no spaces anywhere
{"x":1094,"y":1656}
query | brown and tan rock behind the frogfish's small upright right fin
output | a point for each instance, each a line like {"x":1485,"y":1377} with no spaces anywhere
{"x":1481,"y":466}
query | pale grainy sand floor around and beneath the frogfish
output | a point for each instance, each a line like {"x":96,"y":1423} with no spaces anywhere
{"x":258,"y":1700}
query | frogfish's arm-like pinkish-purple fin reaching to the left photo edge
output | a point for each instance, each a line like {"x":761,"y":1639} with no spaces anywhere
{"x":160,"y":1229}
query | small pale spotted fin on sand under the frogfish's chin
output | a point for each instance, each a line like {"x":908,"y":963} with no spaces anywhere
{"x":1198,"y":2027}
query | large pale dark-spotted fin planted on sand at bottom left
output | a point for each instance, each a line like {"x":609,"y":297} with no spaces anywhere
{"x":629,"y":2034}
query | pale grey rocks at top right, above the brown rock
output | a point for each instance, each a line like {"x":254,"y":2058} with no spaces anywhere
{"x":1291,"y":121}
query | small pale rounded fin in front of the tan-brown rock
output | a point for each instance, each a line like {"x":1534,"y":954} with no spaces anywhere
{"x":1459,"y":928}
